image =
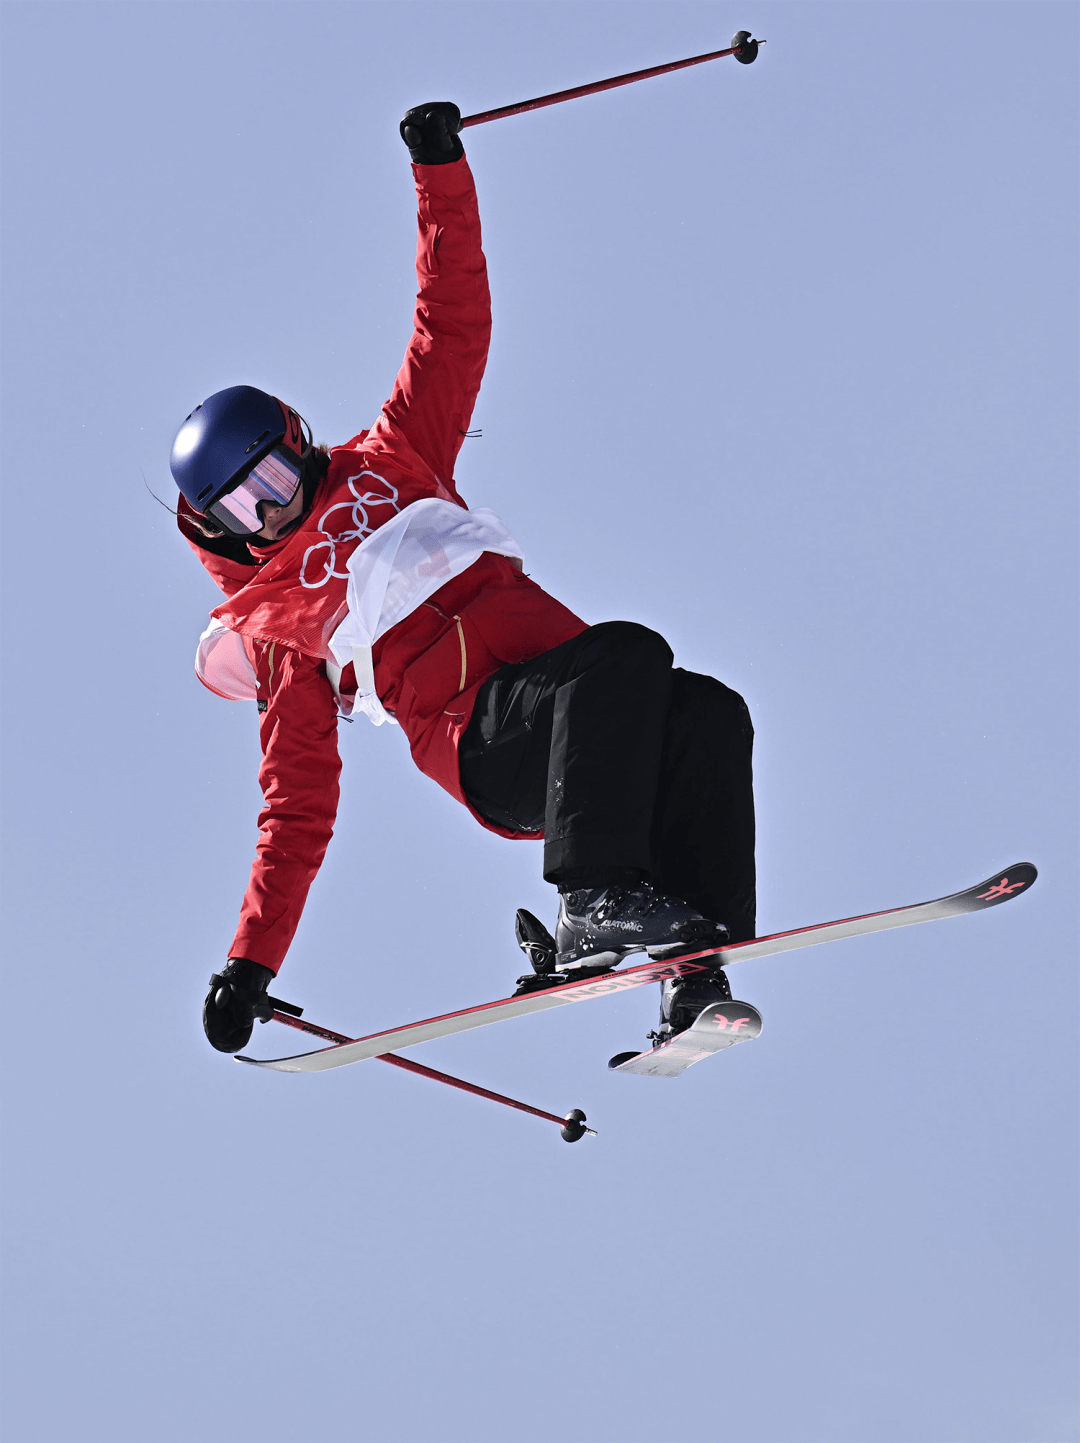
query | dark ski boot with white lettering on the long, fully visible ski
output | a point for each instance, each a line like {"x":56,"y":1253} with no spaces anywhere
{"x":600,"y":927}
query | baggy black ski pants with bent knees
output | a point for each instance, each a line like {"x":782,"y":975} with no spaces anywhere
{"x":627,"y":766}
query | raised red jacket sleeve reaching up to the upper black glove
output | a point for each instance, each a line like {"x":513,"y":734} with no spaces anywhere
{"x":440,"y":379}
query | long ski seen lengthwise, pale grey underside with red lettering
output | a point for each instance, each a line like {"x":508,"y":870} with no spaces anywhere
{"x":997,"y":890}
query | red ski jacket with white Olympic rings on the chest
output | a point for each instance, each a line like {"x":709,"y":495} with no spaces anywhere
{"x":289,"y":598}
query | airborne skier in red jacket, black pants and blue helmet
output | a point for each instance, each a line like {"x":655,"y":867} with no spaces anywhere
{"x":356,"y":579}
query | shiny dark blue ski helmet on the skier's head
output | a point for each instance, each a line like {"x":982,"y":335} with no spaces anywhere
{"x":227,"y":437}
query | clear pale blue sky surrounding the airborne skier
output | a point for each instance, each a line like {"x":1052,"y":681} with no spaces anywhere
{"x":785,"y":367}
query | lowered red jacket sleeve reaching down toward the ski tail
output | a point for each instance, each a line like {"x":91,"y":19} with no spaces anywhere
{"x":300,"y":777}
